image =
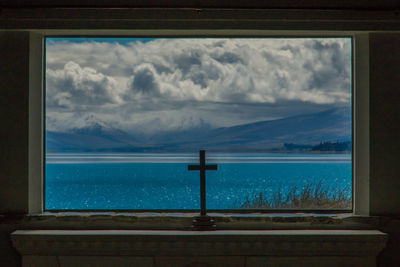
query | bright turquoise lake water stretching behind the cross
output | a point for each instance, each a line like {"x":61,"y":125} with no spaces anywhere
{"x":162,"y":181}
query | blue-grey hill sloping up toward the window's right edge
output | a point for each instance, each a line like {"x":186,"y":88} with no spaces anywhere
{"x":330,"y":125}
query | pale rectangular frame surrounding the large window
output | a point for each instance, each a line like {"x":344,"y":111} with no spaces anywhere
{"x":360,"y":142}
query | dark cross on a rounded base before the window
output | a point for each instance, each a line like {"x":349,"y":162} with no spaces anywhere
{"x":203,"y":222}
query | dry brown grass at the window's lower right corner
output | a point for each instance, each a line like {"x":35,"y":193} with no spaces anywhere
{"x":311,"y":196}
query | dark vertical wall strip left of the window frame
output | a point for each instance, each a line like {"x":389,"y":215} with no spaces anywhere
{"x":14,"y":99}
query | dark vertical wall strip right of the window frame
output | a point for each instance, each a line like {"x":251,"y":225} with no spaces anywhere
{"x":384,"y":123}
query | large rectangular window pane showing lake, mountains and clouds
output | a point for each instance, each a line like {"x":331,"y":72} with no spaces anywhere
{"x":124,"y":117}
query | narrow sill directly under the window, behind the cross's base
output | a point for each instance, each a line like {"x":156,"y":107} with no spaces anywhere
{"x":183,"y":221}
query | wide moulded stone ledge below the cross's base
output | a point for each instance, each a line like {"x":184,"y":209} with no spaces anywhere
{"x":193,"y":243}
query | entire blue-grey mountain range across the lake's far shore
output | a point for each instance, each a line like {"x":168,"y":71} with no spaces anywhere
{"x":311,"y":129}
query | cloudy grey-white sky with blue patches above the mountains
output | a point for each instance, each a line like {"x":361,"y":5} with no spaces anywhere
{"x":172,"y":84}
